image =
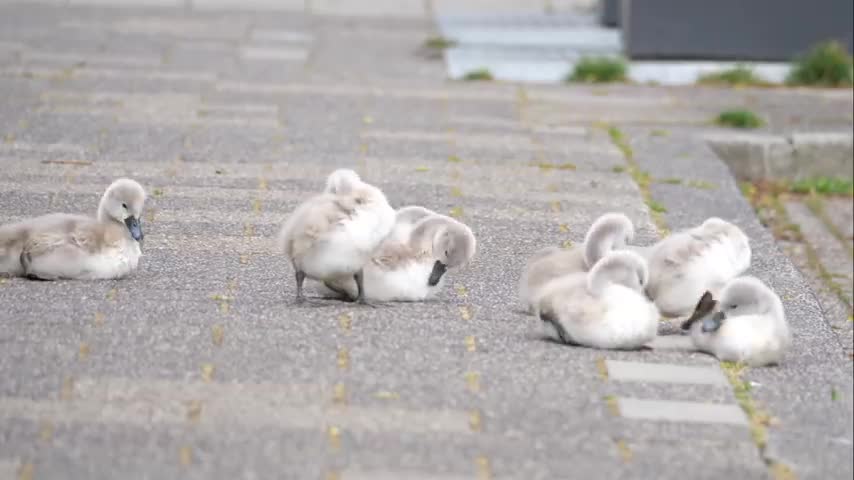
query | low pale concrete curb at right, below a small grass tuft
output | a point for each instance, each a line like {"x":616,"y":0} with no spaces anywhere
{"x":792,"y":157}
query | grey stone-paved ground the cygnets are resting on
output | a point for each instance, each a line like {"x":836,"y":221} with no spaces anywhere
{"x":199,"y":367}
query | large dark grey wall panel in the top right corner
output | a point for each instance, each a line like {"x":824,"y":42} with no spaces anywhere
{"x":732,"y":29}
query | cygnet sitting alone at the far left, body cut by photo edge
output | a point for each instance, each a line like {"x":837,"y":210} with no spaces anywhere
{"x":64,"y":246}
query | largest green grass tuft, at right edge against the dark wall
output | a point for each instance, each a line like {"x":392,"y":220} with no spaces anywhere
{"x":826,"y":65}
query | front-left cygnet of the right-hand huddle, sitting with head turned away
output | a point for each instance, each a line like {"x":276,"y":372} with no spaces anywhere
{"x":604,"y":308}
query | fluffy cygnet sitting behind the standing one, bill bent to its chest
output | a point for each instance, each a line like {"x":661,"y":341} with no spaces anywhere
{"x":414,"y":270}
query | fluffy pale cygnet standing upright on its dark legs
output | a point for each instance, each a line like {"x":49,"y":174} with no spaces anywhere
{"x":335,"y":233}
